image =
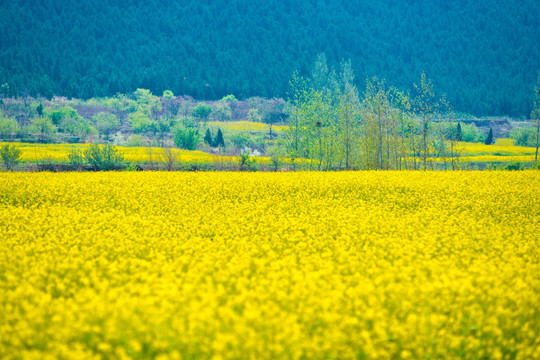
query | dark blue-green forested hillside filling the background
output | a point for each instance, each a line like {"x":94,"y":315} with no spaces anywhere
{"x":483,"y":54}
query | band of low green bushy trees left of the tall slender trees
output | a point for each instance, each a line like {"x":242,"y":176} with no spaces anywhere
{"x":139,"y":119}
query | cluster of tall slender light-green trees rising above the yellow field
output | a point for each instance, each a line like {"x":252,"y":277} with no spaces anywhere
{"x":335,"y":127}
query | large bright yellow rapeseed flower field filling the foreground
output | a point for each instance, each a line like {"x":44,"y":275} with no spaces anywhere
{"x":368,"y":265}
